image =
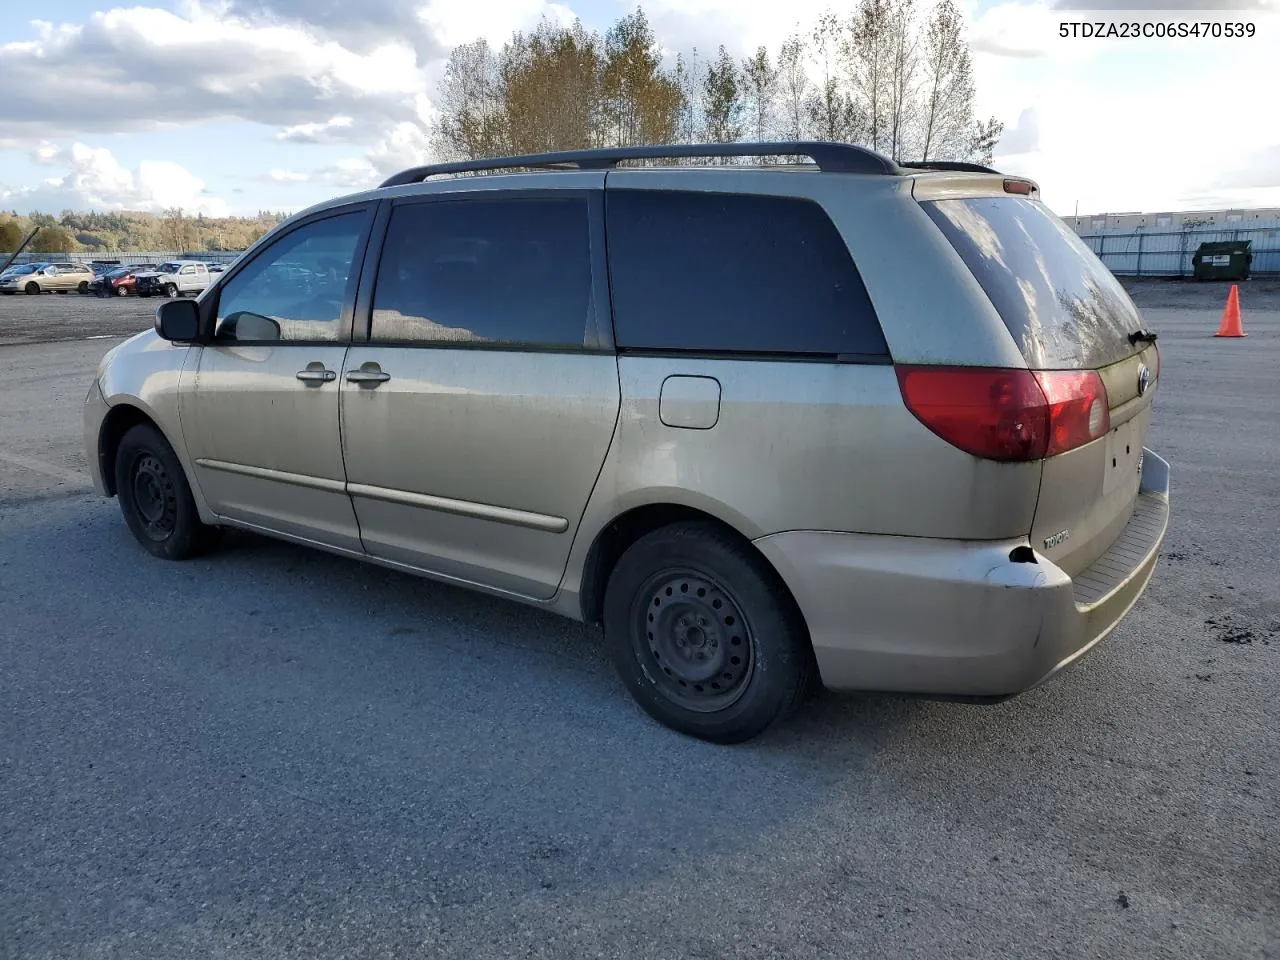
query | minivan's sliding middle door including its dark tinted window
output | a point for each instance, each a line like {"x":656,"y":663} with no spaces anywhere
{"x":479,"y":414}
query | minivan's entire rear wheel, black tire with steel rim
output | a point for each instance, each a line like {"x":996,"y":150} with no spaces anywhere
{"x":705,"y":636}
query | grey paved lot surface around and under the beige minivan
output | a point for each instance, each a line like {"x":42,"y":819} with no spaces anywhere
{"x":282,"y":755}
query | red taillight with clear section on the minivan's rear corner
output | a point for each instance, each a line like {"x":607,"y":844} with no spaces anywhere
{"x":1008,"y":415}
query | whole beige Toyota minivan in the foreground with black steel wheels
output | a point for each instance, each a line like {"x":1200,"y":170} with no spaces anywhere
{"x":874,"y":422}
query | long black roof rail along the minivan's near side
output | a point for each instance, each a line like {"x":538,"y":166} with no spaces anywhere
{"x":830,"y":158}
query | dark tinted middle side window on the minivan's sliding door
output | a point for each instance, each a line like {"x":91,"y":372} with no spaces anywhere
{"x":513,"y":272}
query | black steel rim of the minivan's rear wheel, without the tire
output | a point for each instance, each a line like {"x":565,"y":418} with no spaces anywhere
{"x":694,"y":639}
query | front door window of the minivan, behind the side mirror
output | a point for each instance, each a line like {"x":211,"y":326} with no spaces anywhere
{"x":295,"y":290}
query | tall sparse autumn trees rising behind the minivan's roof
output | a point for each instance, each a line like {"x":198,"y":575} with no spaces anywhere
{"x":892,"y":76}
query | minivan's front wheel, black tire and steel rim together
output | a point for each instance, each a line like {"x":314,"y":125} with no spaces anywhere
{"x":156,"y":497}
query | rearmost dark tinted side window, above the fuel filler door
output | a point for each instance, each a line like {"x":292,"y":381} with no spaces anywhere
{"x":725,"y":273}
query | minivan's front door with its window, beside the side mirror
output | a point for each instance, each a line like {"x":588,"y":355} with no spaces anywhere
{"x":260,"y":413}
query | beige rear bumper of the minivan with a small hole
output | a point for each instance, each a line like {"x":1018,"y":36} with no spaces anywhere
{"x":962,"y":619}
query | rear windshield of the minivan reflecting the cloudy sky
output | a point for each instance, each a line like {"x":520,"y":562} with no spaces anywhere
{"x":1059,"y":301}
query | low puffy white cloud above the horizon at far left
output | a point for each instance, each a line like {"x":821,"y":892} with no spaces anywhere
{"x":97,"y":180}
